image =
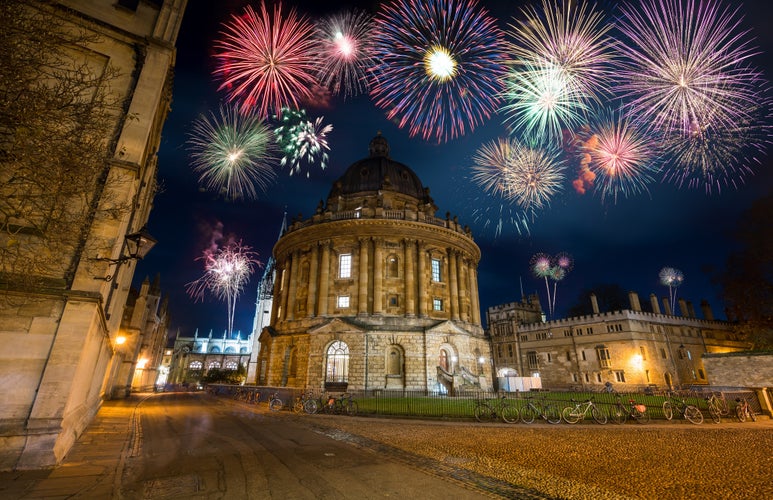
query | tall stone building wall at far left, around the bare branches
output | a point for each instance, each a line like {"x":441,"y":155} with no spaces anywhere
{"x":59,"y":332}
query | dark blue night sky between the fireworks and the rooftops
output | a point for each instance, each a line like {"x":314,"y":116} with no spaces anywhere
{"x":626,"y":243}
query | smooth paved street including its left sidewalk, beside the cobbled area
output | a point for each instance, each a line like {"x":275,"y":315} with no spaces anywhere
{"x":191,"y":445}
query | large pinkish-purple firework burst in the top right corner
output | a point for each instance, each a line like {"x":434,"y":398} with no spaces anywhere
{"x":685,"y":66}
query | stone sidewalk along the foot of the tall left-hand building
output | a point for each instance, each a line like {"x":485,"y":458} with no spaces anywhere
{"x":92,"y":468}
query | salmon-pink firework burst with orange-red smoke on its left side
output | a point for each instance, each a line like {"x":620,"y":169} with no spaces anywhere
{"x":619,"y":157}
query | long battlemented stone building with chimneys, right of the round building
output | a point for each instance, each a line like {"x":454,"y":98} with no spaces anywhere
{"x":630,"y":349}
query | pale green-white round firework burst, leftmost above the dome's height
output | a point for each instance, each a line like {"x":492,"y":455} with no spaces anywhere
{"x":232,"y":153}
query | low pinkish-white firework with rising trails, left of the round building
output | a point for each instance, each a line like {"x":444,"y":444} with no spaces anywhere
{"x":227,"y":271}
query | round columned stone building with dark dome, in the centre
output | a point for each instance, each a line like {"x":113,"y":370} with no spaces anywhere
{"x":374,"y":292}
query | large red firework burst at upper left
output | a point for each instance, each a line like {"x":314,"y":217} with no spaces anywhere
{"x":266,"y":61}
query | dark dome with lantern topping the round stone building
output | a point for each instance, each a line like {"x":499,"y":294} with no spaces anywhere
{"x":378,"y":172}
